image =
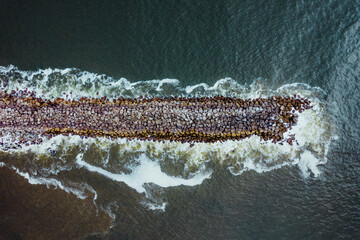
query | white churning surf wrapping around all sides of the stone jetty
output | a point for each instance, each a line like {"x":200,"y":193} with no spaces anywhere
{"x":144,"y":165}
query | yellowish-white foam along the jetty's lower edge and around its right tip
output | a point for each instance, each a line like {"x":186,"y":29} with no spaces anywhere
{"x":247,"y":154}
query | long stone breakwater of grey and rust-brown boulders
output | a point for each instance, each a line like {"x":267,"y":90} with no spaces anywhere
{"x":181,"y":119}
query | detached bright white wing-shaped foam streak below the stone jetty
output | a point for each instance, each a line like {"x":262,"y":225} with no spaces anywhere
{"x":147,"y":172}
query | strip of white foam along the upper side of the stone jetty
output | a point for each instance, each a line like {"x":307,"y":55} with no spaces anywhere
{"x":56,"y":82}
